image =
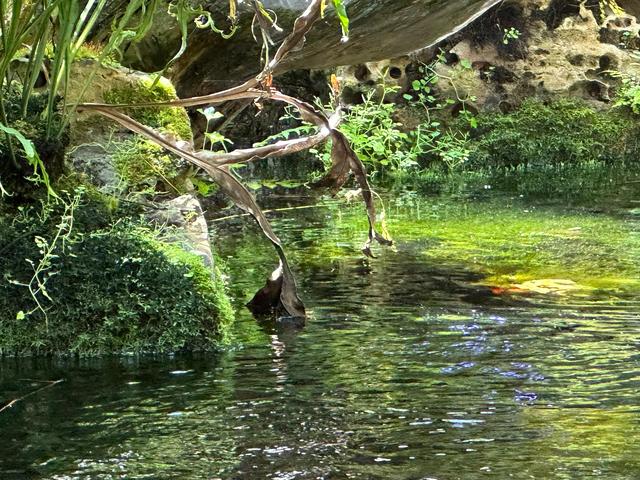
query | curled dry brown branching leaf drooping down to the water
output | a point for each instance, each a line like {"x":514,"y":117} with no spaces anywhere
{"x":280,"y":292}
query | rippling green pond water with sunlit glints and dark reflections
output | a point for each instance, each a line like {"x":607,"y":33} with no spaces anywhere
{"x":495,"y":340}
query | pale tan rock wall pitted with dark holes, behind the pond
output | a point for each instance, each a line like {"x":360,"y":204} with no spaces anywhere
{"x":561,"y":50}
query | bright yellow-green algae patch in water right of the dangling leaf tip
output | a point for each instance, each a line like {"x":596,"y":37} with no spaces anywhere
{"x":512,"y":243}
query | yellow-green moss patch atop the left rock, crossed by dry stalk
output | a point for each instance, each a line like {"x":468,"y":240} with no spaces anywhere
{"x":166,"y":119}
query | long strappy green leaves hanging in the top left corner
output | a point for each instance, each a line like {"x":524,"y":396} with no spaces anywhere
{"x":40,"y":42}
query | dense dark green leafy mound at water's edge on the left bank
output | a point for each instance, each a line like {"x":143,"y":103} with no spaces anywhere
{"x":111,"y":287}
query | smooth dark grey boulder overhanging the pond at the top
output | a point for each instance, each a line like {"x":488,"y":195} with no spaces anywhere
{"x":380,"y":29}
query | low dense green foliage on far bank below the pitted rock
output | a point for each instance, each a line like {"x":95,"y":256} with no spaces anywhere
{"x":555,"y":133}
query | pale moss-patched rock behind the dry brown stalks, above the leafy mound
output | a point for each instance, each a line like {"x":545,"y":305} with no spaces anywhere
{"x":120,"y":160}
